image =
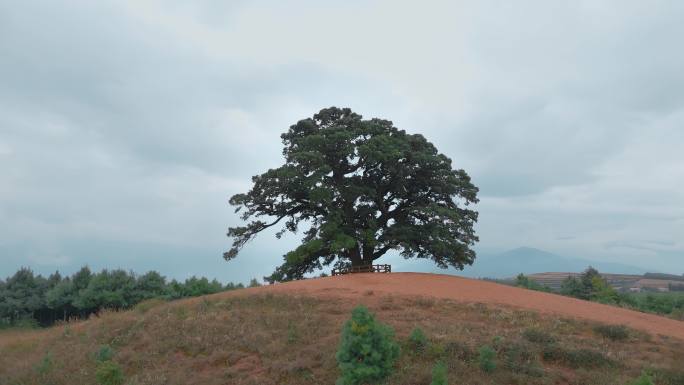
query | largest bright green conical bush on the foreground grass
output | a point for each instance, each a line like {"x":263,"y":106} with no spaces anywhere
{"x":367,"y":349}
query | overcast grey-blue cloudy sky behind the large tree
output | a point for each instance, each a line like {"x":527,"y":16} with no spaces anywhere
{"x":126,"y":125}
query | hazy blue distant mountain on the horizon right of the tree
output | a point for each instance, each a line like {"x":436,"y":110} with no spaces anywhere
{"x":524,"y":260}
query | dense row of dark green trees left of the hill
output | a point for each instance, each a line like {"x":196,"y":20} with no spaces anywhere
{"x":27,"y":299}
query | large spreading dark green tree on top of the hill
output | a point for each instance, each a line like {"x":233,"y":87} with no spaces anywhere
{"x":360,"y":188}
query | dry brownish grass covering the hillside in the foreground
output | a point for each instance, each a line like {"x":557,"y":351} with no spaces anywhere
{"x":254,"y":338}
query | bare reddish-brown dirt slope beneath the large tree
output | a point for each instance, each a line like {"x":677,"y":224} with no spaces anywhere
{"x":470,"y":290}
